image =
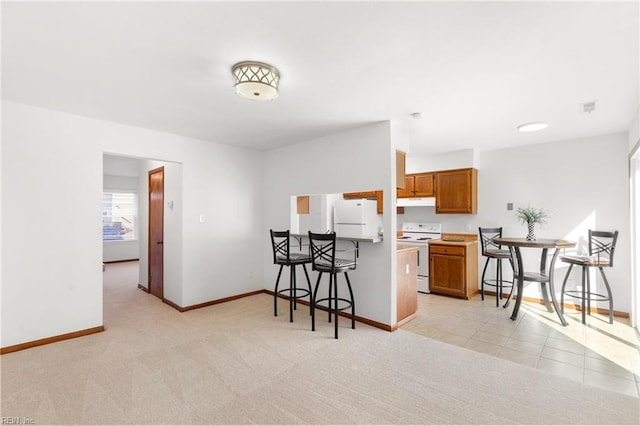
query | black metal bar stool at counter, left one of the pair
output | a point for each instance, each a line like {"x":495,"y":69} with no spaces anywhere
{"x":282,"y":255}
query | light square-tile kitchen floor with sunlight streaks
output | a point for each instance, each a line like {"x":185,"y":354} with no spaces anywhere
{"x":598,"y":353}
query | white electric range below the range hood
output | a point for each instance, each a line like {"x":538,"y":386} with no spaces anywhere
{"x":419,"y":234}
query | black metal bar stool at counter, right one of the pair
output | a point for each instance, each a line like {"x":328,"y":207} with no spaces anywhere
{"x":323,"y":255}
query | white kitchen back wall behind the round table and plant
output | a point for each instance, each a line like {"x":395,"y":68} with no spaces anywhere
{"x":583,"y":183}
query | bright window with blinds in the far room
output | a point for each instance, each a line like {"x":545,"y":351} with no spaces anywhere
{"x":119,"y":216}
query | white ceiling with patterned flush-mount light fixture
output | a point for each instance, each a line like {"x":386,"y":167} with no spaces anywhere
{"x":475,"y":70}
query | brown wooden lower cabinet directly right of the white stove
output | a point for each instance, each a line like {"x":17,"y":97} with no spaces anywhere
{"x":453,"y":268}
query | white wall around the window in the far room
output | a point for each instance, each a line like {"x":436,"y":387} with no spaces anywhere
{"x":120,"y":249}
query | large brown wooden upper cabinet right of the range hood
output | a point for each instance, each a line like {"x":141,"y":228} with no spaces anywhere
{"x":456,"y":191}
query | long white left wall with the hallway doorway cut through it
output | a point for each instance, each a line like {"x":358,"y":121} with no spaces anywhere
{"x":53,"y":285}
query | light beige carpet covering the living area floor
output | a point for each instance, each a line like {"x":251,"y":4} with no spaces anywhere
{"x":235,"y":363}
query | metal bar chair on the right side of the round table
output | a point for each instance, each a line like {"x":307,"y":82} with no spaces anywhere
{"x":602,"y":246}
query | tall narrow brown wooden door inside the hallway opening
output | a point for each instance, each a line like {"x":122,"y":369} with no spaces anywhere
{"x":156,"y":233}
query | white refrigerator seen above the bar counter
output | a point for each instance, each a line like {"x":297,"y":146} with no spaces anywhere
{"x":356,"y":218}
